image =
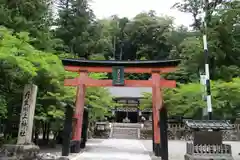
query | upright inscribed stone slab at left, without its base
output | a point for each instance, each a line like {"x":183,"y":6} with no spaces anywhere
{"x":27,"y":114}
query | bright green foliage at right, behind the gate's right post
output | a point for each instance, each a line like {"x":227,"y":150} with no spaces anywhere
{"x":187,"y":100}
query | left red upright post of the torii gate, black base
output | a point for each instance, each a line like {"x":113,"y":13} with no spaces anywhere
{"x":78,"y":115}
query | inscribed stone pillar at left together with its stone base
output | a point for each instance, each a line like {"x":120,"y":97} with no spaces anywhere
{"x":25,"y":149}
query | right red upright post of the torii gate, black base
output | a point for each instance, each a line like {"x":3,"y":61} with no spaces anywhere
{"x":157,"y":105}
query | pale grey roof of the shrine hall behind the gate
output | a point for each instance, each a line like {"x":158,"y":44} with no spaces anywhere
{"x":128,"y":92}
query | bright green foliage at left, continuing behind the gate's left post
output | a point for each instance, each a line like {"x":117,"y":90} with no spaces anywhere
{"x":21,"y":64}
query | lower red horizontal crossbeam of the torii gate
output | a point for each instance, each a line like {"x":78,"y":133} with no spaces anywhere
{"x":128,"y":83}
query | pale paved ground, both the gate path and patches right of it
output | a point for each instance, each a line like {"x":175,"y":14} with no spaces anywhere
{"x":128,"y":149}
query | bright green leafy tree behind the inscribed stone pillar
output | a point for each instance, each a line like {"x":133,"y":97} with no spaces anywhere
{"x":20,"y":64}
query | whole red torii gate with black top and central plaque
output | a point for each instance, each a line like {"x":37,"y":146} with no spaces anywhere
{"x":118,"y":68}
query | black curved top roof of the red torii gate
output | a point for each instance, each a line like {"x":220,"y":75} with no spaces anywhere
{"x":110,"y":63}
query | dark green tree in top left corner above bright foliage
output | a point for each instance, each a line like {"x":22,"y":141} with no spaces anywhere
{"x":33,"y":16}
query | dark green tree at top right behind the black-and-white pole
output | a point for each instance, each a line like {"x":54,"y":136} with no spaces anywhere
{"x":223,"y":39}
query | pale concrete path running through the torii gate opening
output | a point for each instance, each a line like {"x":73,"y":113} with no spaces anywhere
{"x":115,"y":149}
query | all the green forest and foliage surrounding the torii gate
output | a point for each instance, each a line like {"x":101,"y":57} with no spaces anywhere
{"x":33,"y":40}
